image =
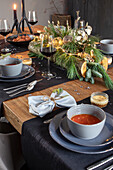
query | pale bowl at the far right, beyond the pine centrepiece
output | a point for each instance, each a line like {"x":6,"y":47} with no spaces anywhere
{"x":107,"y":46}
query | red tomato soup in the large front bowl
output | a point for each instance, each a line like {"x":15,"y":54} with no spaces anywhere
{"x":85,"y":119}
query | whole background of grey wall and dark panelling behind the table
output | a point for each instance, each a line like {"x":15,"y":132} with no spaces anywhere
{"x":98,"y":13}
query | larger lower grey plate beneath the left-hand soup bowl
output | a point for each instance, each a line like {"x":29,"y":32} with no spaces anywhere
{"x":30,"y":74}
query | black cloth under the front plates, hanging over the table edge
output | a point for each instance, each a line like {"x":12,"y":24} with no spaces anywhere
{"x":41,"y":152}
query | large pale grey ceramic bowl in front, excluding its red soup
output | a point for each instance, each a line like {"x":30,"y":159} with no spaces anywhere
{"x":86,"y":131}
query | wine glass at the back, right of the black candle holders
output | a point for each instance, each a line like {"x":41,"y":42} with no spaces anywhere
{"x":32,"y":18}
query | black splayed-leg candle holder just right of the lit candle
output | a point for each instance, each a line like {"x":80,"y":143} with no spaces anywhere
{"x":24,"y":18}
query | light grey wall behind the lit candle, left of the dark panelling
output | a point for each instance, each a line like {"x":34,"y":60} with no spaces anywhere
{"x":44,"y":8}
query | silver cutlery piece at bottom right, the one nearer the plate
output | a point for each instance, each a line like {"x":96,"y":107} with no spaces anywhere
{"x":100,"y":163}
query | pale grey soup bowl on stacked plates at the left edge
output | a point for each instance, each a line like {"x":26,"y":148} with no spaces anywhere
{"x":10,"y":67}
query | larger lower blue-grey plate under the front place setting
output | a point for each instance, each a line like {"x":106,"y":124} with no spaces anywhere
{"x":57,"y":136}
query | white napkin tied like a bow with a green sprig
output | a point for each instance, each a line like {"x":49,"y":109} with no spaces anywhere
{"x":41,"y":105}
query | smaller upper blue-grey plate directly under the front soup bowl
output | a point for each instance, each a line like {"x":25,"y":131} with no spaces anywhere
{"x":103,"y":139}
